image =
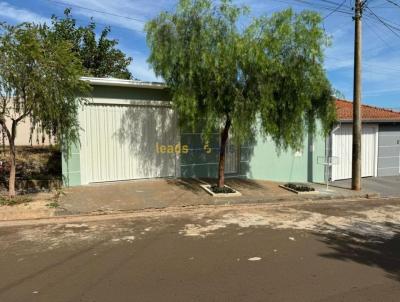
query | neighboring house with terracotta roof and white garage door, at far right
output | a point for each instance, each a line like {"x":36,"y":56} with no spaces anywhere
{"x":380,"y":141}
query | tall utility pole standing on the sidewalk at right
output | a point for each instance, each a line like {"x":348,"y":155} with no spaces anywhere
{"x":356,"y":158}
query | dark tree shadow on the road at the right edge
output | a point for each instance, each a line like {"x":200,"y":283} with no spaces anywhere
{"x":376,"y":251}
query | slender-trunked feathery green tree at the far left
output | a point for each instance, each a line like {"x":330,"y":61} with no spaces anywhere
{"x":40,"y":80}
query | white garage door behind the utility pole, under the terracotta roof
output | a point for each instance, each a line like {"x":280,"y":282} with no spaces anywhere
{"x":342,"y":146}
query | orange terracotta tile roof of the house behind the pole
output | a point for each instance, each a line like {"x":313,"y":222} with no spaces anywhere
{"x":370,"y":113}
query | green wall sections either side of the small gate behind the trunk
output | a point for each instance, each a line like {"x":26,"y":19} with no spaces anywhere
{"x":259,"y":160}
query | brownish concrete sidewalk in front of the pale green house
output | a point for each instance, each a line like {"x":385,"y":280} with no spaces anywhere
{"x":162,"y":193}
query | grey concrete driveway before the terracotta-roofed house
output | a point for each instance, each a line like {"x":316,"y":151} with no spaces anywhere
{"x":388,"y":186}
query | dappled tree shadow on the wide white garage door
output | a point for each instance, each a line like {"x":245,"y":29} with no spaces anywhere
{"x":142,"y":133}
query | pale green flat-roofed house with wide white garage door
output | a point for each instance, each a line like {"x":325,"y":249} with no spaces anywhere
{"x":129,"y":131}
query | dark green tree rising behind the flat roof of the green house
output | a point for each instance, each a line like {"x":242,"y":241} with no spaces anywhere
{"x":99,"y":57}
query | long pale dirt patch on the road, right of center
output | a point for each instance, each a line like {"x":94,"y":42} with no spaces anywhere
{"x":376,"y":223}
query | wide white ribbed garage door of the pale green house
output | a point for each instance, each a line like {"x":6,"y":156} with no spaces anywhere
{"x":123,"y":142}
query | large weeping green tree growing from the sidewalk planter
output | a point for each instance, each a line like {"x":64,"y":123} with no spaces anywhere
{"x":268,"y":77}
